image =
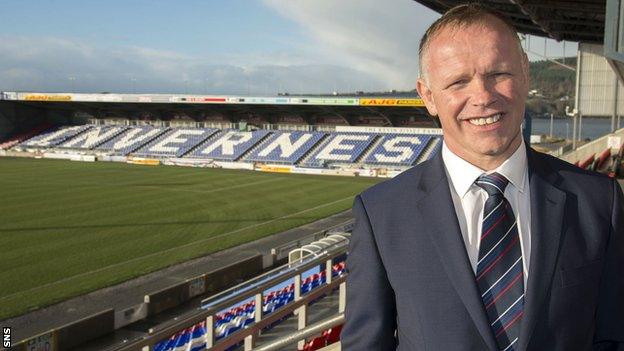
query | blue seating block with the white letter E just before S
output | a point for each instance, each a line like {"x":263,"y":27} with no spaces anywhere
{"x":341,"y":148}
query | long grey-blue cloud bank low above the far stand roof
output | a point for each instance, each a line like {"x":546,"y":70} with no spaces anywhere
{"x":57,"y":64}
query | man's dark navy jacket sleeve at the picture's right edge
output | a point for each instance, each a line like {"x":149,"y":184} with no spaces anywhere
{"x":609,"y":334}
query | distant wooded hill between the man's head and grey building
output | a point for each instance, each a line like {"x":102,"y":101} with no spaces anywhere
{"x":551,"y":87}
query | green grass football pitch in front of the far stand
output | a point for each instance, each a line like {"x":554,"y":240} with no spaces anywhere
{"x":68,"y":228}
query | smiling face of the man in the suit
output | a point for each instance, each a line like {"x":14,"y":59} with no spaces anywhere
{"x":477,"y":83}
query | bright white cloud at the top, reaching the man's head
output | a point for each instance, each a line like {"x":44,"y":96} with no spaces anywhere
{"x":380,"y":38}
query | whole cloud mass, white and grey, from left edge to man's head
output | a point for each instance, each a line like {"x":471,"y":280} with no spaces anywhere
{"x":352,"y":45}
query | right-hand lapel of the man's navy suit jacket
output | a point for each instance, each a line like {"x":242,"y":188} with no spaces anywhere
{"x":547,"y":210}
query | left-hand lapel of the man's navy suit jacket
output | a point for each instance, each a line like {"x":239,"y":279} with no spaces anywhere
{"x":438,"y":215}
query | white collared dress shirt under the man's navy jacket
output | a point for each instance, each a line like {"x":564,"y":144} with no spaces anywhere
{"x":468,"y":199}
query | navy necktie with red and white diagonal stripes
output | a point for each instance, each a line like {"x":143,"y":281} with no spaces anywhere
{"x":499,"y":269}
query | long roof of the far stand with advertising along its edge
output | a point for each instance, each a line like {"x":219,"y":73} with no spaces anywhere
{"x":392,"y":109}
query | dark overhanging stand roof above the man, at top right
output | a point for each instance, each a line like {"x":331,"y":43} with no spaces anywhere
{"x":573,"y":20}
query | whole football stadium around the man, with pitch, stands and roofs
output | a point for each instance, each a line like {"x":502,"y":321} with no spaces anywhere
{"x":155,"y":221}
